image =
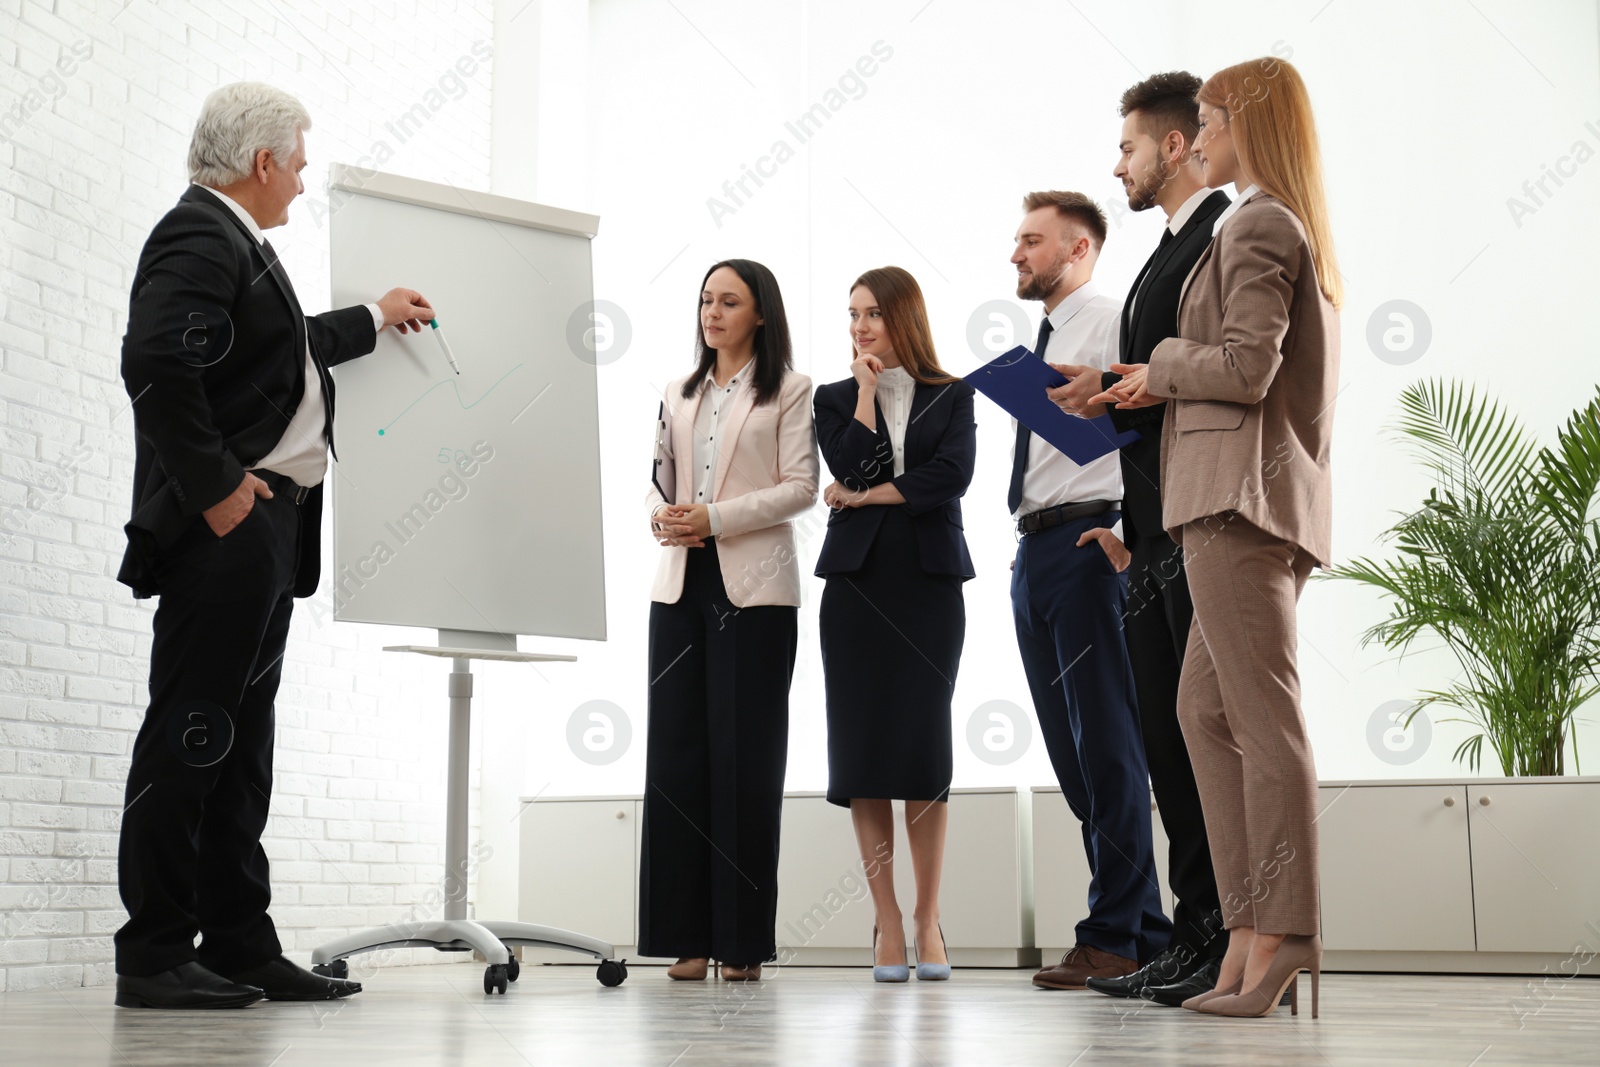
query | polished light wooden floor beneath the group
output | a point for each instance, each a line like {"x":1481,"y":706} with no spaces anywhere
{"x":559,"y":1015}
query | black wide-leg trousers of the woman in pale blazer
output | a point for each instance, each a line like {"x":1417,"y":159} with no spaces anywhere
{"x":714,"y":772}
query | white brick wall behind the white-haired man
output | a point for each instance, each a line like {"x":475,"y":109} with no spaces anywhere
{"x":97,"y":102}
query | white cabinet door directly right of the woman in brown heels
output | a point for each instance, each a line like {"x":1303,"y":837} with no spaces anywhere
{"x":1396,"y":868}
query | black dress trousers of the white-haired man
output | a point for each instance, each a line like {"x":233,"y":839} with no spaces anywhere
{"x":201,"y":777}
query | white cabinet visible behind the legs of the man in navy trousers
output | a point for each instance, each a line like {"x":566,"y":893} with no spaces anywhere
{"x":1062,"y":871}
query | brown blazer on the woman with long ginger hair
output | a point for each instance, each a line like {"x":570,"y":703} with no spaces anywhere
{"x":1250,"y":380}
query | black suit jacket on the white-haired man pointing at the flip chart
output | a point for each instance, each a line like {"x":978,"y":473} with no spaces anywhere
{"x":215,"y":362}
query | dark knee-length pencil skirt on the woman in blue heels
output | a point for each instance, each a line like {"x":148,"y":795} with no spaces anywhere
{"x":892,"y":642}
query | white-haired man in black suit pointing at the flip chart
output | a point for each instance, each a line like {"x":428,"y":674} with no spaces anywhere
{"x":233,"y":409}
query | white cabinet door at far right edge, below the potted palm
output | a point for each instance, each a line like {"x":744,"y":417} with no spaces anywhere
{"x":1535,"y":871}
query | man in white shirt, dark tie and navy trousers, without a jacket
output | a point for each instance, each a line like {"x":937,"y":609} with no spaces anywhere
{"x":1068,"y":597}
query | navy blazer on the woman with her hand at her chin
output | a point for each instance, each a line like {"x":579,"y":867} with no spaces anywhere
{"x":942,"y":450}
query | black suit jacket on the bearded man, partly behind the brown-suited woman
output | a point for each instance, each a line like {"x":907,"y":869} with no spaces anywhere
{"x":1153,"y":321}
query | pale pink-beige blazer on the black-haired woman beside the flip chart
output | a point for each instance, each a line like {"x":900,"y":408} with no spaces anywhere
{"x":767,"y":478}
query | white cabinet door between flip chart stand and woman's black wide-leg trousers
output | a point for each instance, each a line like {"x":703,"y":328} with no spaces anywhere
{"x":578,"y":868}
